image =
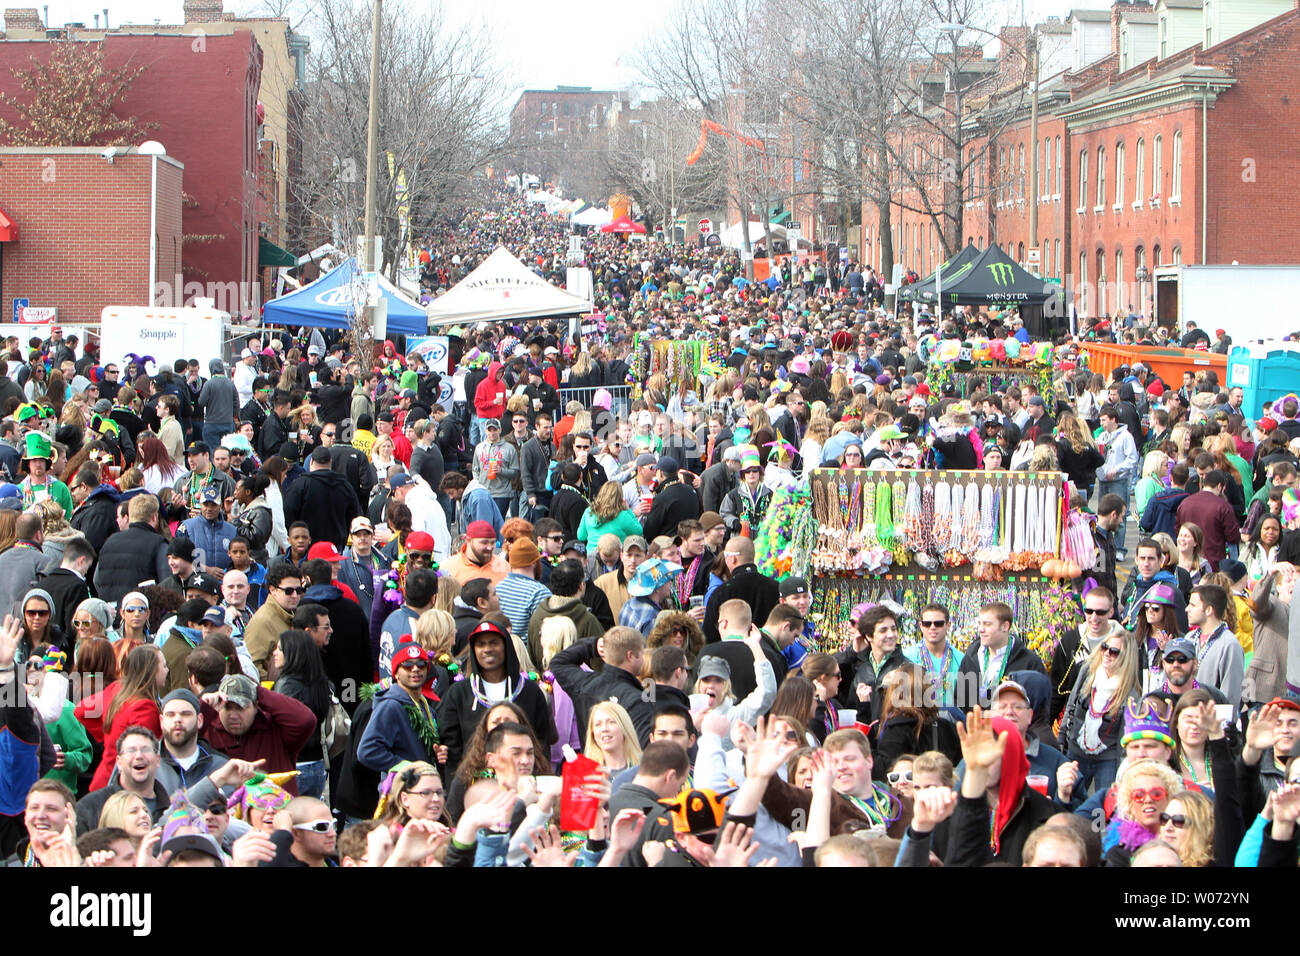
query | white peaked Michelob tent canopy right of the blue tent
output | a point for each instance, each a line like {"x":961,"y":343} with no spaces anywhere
{"x":502,"y":289}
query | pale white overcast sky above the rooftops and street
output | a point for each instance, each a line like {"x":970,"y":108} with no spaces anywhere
{"x":544,"y":44}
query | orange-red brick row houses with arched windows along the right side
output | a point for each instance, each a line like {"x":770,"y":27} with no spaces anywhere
{"x":1176,"y":158}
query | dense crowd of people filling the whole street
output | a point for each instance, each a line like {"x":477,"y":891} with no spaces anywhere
{"x":300,"y":612}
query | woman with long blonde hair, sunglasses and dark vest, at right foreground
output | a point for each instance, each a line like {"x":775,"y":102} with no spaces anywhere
{"x":1095,"y":712}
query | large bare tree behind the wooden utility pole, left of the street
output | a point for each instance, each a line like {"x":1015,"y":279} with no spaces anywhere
{"x":441,"y":120}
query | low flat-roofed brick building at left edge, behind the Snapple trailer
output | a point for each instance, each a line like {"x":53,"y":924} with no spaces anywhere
{"x":84,"y":228}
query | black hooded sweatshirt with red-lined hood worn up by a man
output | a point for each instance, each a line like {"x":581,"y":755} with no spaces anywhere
{"x":470,"y":698}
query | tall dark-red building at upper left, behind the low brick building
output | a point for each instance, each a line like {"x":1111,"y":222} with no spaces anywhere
{"x":202,"y":92}
